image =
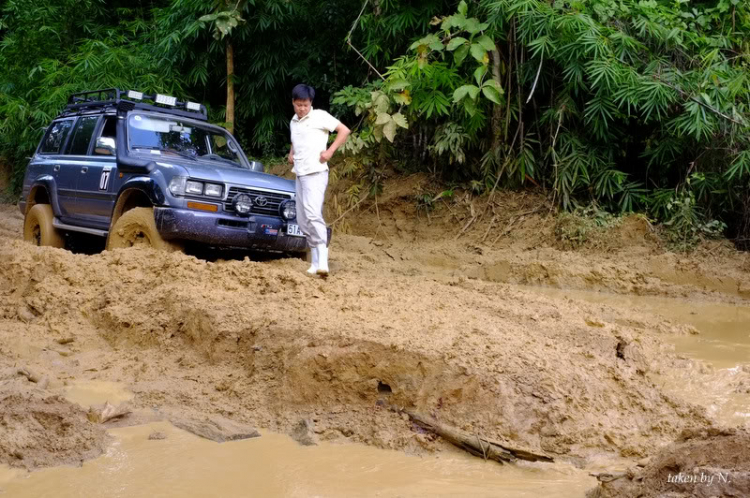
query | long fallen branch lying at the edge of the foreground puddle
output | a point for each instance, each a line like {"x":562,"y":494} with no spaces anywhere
{"x":476,"y":445}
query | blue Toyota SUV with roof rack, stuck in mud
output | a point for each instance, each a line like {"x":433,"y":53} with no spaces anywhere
{"x":149,"y":170}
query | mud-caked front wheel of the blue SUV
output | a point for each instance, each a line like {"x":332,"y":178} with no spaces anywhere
{"x":137,"y":228}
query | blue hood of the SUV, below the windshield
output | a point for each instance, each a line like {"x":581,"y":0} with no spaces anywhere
{"x":214,"y":171}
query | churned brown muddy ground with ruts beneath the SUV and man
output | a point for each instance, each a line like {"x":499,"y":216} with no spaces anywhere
{"x":429,"y":325}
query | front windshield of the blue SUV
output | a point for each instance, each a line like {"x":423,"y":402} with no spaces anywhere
{"x":170,"y":136}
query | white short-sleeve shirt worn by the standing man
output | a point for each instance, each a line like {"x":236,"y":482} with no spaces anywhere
{"x":309,"y":139}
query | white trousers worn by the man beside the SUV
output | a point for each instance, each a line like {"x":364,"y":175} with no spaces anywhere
{"x":310,"y":194}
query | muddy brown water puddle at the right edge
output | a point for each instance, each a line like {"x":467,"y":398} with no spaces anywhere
{"x":722,"y":342}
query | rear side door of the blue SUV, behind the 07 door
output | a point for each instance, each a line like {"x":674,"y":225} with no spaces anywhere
{"x":50,"y":158}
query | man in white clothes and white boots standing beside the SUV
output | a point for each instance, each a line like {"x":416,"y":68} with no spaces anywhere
{"x":310,"y":155}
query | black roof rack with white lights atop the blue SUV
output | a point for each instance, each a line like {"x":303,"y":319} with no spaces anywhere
{"x":127,"y":101}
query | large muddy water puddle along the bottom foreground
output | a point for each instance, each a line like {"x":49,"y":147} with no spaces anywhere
{"x":184,"y":465}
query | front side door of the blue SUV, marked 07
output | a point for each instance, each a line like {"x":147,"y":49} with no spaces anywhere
{"x":92,"y":186}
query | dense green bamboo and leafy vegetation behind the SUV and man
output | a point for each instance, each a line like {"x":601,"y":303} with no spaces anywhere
{"x":629,"y":105}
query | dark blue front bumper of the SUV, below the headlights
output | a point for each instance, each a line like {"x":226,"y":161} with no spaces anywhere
{"x":255,"y":232}
